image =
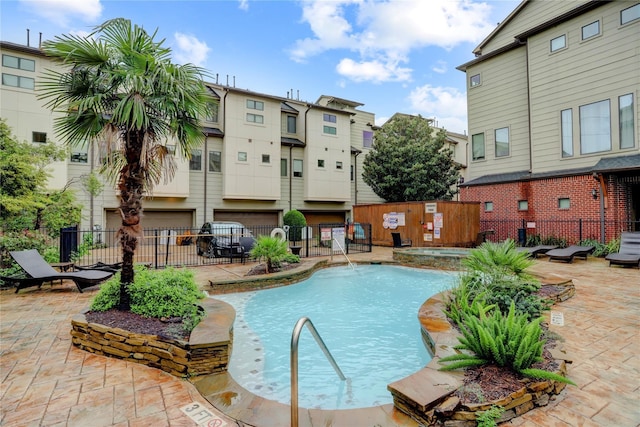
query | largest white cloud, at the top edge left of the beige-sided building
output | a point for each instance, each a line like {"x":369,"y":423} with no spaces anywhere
{"x":383,"y":33}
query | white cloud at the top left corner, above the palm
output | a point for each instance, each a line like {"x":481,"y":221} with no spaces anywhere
{"x":64,"y":12}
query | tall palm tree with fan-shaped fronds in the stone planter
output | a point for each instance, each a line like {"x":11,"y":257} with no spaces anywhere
{"x":119,"y":88}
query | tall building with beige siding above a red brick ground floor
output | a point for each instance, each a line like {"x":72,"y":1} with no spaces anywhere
{"x":553,"y":115}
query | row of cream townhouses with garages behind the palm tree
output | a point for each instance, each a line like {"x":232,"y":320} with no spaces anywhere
{"x":263,"y":155}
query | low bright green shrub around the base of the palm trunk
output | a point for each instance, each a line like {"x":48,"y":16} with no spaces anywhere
{"x":156,"y":293}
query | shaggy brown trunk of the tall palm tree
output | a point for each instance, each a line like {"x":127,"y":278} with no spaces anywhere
{"x":131,"y":186}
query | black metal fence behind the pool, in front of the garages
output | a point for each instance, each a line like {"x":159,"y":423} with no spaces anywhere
{"x":178,"y":247}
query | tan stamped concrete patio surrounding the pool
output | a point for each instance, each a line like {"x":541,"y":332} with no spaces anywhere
{"x":45,"y":381}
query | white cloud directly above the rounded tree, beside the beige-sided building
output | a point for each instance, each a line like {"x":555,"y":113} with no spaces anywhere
{"x":446,"y":104}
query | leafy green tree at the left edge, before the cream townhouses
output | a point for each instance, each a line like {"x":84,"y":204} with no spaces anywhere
{"x":25,"y":201}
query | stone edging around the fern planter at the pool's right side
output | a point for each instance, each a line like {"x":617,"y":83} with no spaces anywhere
{"x":427,"y":395}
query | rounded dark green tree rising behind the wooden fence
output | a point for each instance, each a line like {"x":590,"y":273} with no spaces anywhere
{"x":409,"y":162}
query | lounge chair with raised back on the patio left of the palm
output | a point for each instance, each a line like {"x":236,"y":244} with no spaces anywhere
{"x":38,"y":271}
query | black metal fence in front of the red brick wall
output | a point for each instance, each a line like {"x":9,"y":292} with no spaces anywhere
{"x":555,"y":231}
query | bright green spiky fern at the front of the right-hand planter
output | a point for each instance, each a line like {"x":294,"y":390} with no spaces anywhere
{"x":510,"y":341}
